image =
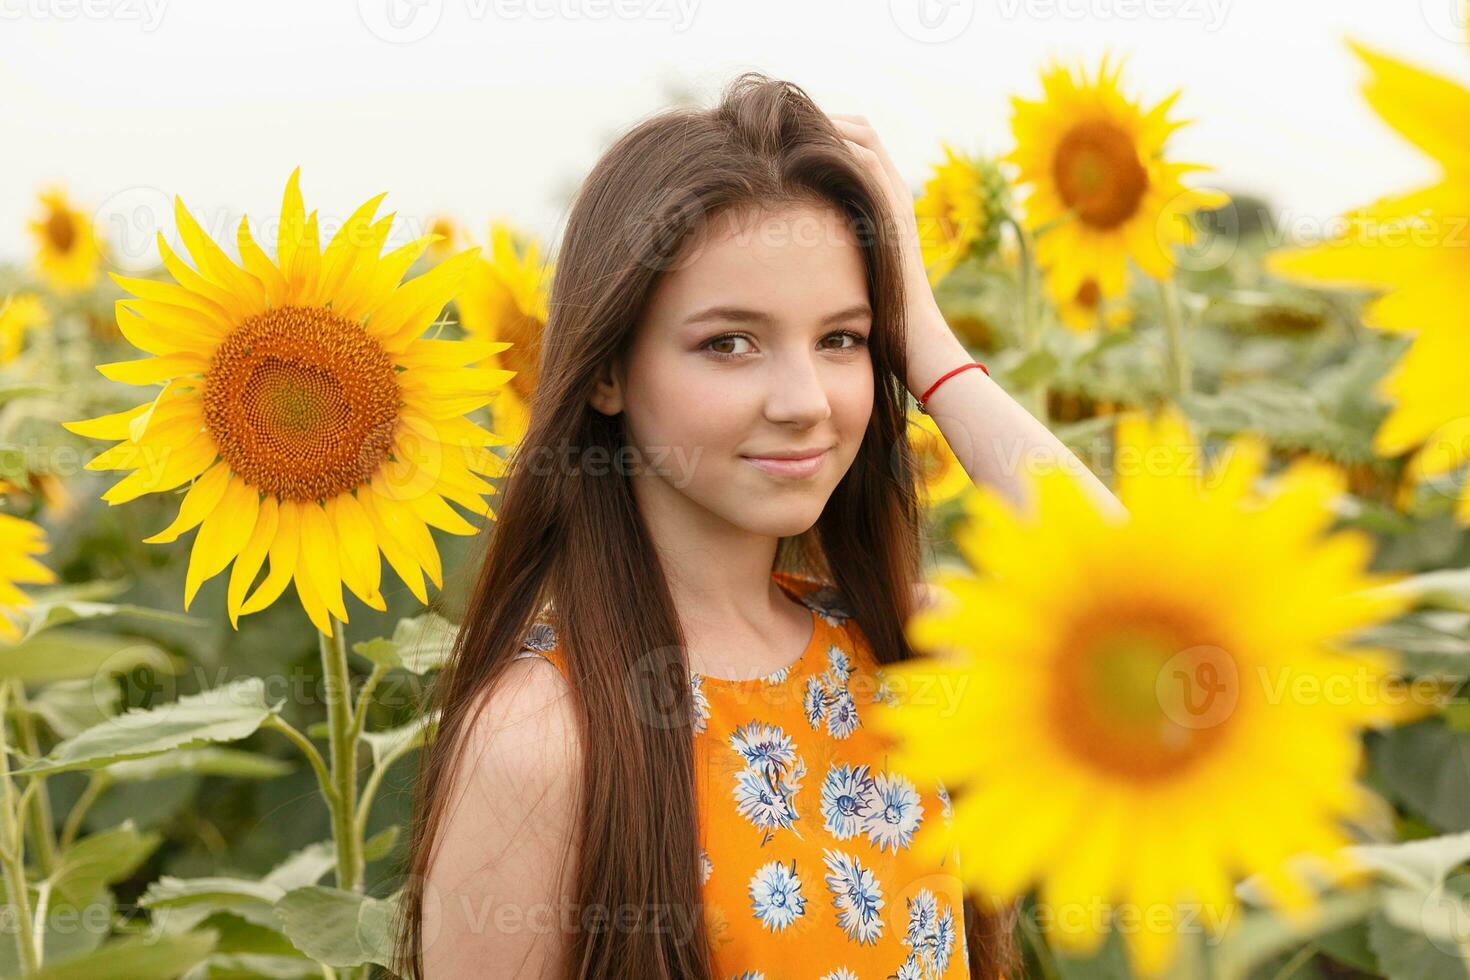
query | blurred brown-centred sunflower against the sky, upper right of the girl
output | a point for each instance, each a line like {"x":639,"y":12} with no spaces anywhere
{"x":1099,"y":183}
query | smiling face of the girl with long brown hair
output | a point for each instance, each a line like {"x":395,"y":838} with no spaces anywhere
{"x":753,"y":346}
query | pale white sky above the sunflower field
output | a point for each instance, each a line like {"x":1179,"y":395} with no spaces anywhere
{"x":496,"y":108}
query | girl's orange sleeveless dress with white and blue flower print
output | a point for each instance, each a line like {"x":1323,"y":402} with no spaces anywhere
{"x":808,"y":835}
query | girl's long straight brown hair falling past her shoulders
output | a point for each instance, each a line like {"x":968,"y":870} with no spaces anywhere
{"x":578,"y":540}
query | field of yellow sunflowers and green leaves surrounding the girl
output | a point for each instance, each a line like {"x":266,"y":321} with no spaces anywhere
{"x":1224,"y":738}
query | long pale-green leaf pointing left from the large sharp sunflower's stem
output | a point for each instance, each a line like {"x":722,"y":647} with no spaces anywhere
{"x":223,"y":715}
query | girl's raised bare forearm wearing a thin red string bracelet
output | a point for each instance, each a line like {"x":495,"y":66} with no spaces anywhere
{"x":990,"y":433}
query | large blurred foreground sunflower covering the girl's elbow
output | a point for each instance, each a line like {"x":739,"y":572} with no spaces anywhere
{"x":1152,"y":678}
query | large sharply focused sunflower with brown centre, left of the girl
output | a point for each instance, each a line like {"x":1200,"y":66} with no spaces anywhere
{"x":312,"y":419}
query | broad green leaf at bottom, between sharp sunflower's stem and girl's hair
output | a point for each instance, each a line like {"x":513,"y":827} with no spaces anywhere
{"x":342,"y":929}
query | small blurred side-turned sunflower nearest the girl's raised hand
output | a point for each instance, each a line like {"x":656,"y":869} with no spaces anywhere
{"x":961,"y":212}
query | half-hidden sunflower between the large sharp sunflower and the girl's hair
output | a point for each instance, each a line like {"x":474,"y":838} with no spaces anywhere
{"x":505,"y":300}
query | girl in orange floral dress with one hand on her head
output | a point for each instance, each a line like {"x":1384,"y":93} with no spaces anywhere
{"x":652,"y":759}
